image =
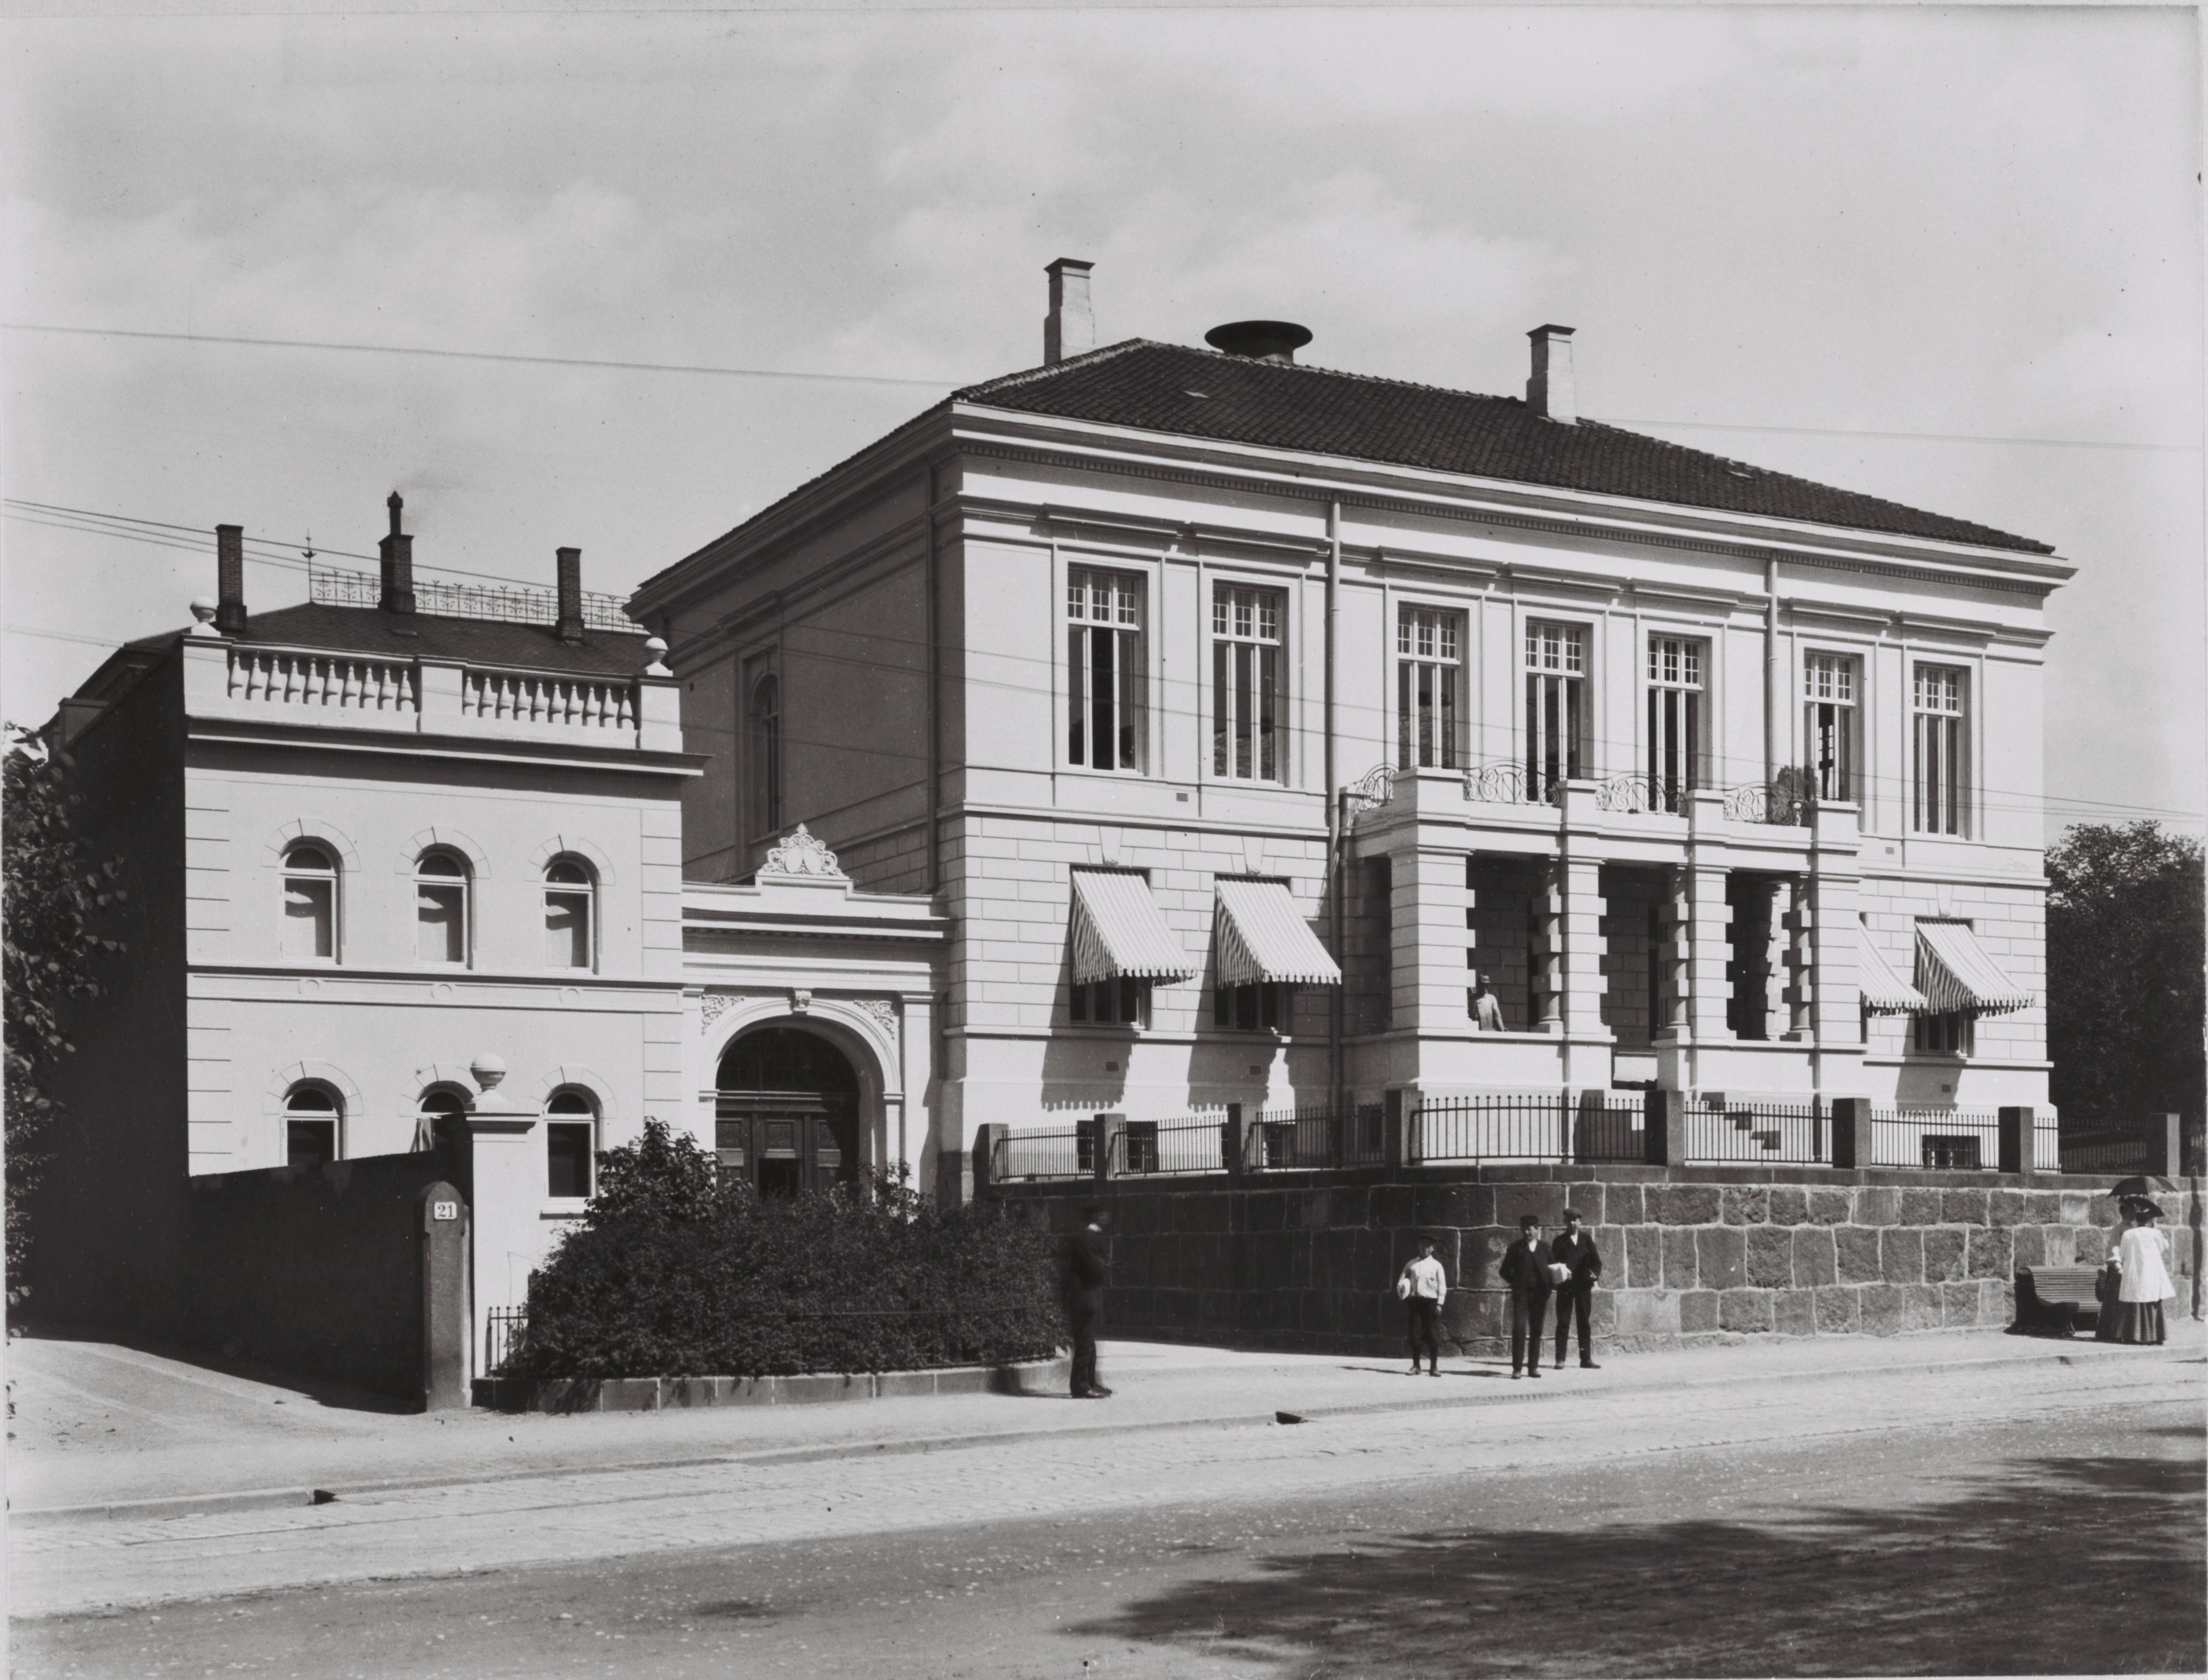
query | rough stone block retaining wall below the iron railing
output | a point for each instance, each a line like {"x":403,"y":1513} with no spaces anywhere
{"x":1690,"y":1253}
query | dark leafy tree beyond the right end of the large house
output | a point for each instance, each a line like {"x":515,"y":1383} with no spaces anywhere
{"x":2125,"y":975}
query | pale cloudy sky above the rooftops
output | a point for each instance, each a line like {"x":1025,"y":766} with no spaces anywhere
{"x":1946,"y":257}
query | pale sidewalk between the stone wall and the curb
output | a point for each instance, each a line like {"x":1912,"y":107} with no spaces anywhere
{"x":98,"y":1432}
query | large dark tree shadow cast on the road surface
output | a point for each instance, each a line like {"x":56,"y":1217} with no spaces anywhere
{"x":2052,"y":1566}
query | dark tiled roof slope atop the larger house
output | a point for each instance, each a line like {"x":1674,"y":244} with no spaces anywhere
{"x":1275,"y":405}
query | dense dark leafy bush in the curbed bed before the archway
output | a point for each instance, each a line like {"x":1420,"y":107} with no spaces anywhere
{"x":677,"y":1273}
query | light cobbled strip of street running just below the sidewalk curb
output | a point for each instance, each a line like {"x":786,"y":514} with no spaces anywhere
{"x":845,"y":1491}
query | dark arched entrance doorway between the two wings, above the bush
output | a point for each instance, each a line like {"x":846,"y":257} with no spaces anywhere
{"x":787,"y":1112}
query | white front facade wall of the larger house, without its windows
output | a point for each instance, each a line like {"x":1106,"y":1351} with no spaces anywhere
{"x":1017,"y":509}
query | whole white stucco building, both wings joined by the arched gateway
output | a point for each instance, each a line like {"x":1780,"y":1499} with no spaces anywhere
{"x":1143,"y":734}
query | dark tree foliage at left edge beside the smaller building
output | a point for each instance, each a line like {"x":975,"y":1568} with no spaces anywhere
{"x":54,"y":906}
